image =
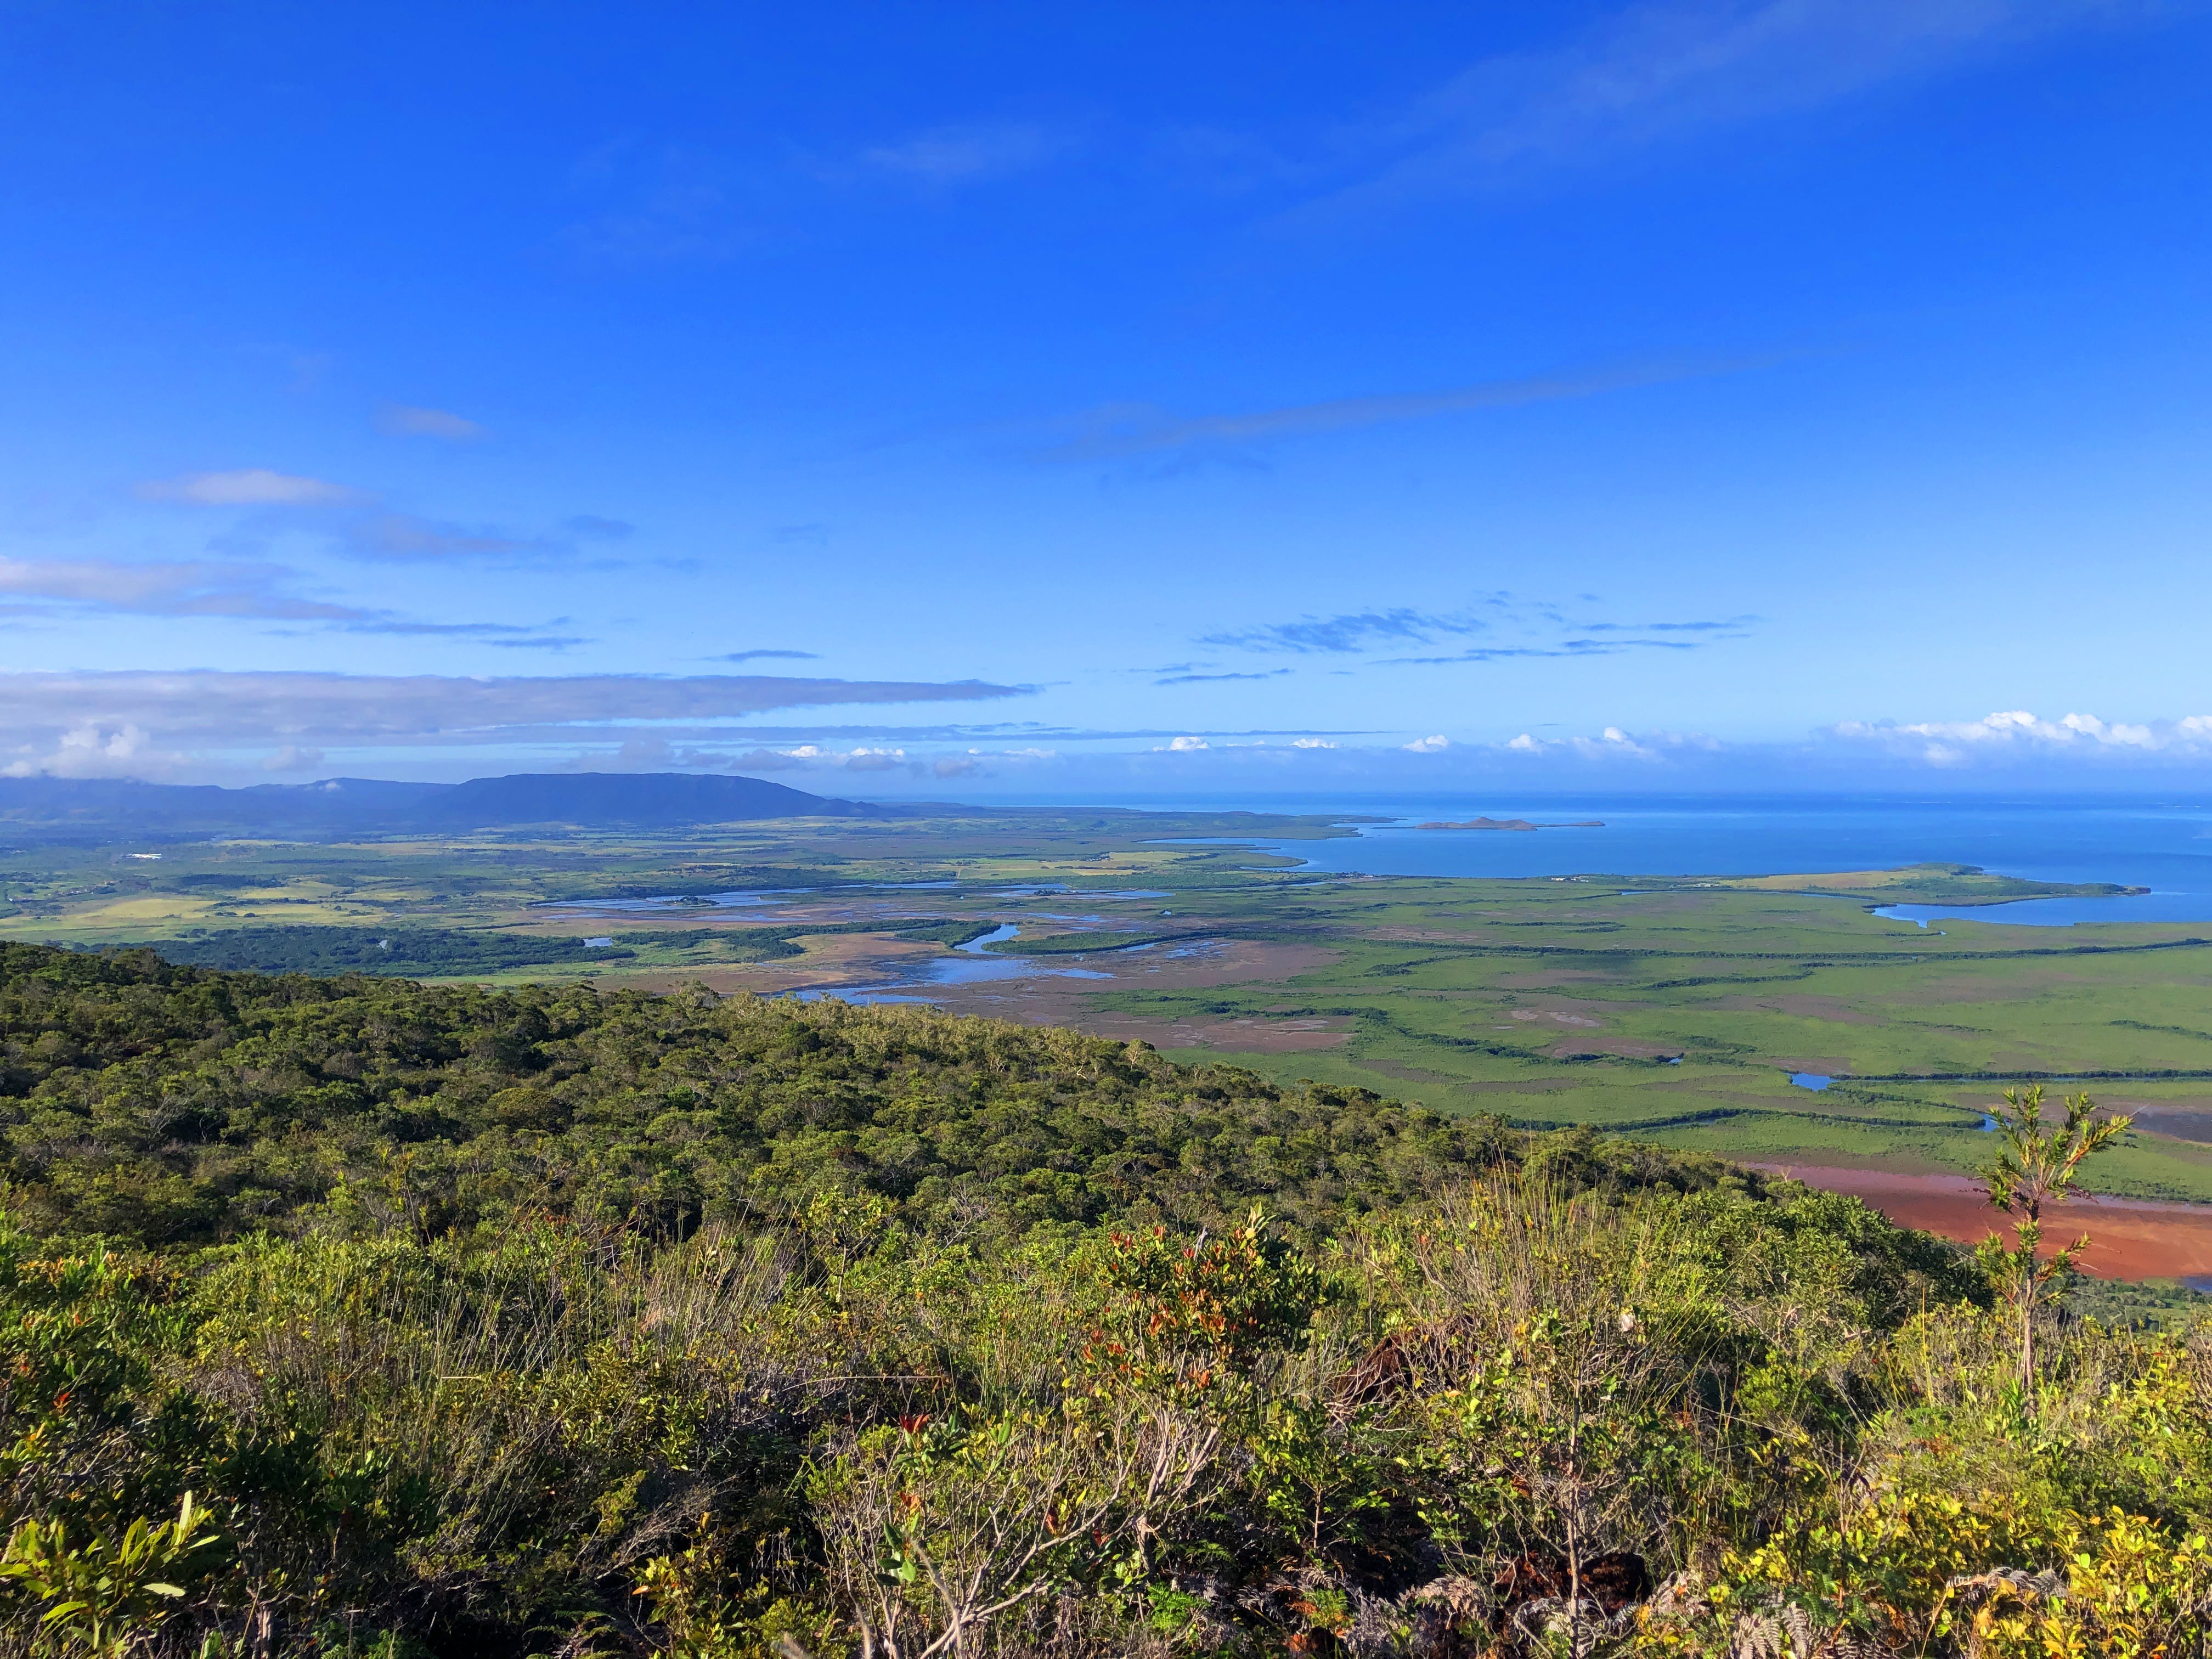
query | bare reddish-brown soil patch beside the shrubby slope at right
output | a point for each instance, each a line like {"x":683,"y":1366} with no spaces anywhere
{"x":2129,"y":1238}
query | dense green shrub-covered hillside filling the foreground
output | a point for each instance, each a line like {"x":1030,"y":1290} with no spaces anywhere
{"x":351,"y":1315}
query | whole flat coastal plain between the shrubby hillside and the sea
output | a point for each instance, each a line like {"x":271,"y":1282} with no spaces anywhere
{"x":1673,"y":1010}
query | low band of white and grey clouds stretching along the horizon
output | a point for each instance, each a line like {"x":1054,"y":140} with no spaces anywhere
{"x":231,"y":727}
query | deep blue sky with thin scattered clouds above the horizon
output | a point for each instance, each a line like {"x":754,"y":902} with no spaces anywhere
{"x":994,"y":399}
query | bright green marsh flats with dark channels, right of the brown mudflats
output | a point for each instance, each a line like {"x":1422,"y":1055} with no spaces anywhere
{"x":1682,"y":1016}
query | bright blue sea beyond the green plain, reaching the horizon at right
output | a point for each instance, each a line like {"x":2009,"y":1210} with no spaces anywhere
{"x":2164,"y":846}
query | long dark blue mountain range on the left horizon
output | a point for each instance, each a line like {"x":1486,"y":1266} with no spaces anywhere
{"x":101,"y":808}
